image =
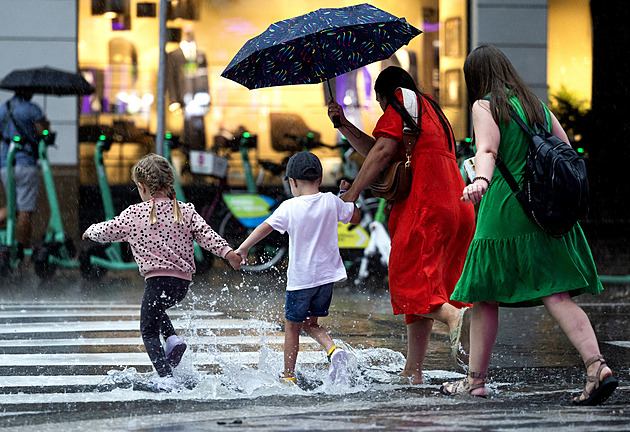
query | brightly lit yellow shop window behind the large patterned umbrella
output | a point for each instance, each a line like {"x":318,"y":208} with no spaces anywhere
{"x":118,"y":53}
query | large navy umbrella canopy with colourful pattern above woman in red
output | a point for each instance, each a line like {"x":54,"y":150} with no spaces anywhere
{"x":317,"y":46}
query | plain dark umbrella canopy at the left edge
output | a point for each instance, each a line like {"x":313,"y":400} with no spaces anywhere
{"x":46,"y":80}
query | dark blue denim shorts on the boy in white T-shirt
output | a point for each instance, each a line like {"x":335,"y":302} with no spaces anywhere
{"x":302,"y":304}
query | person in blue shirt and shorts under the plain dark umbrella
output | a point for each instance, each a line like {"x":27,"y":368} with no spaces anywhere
{"x":21,"y":117}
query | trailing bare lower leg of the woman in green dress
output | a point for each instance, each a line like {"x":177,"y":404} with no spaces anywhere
{"x":576,"y":325}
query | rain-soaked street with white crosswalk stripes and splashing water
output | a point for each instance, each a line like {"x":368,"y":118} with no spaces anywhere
{"x":71,"y":358}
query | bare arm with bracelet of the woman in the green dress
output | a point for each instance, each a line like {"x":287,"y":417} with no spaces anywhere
{"x":487,"y":140}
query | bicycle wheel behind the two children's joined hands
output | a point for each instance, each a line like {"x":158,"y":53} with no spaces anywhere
{"x":268,"y":253}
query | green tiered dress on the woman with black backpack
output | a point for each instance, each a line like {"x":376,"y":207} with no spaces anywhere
{"x":511,"y":260}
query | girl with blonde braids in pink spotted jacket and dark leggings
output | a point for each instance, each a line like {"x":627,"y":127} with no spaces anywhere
{"x":161,"y":232}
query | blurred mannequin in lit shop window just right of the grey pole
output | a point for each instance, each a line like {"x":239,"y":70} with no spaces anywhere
{"x":188,"y":90}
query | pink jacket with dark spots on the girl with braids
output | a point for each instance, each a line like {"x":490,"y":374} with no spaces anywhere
{"x":166,"y":247}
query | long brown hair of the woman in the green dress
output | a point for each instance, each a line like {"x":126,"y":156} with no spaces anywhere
{"x":488,"y":70}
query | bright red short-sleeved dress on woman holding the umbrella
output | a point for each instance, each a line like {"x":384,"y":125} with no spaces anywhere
{"x":432,"y":229}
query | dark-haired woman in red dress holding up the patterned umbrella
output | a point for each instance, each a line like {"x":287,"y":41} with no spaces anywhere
{"x":430,"y":230}
